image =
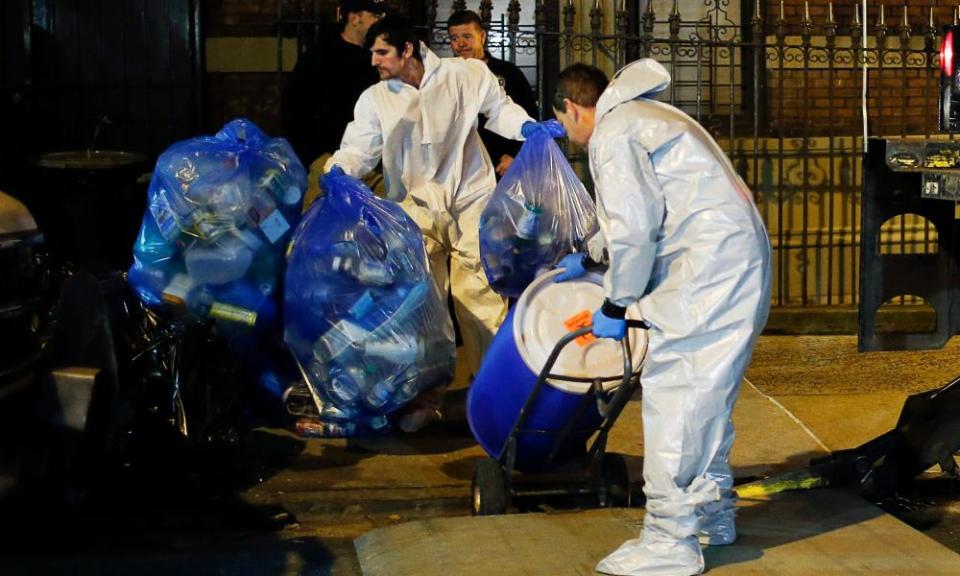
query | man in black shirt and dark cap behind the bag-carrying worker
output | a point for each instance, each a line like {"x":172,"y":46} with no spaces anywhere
{"x":327,"y":80}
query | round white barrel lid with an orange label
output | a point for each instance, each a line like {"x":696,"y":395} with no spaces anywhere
{"x":539,"y":323}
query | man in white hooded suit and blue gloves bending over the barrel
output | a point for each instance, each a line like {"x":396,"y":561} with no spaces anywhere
{"x":682,"y":237}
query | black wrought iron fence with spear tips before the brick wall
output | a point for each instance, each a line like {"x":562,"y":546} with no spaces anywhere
{"x":782,"y":95}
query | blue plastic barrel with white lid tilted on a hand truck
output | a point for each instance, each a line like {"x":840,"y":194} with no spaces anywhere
{"x":514,"y":359}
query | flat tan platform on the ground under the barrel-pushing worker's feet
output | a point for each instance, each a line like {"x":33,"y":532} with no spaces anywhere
{"x":792,"y":534}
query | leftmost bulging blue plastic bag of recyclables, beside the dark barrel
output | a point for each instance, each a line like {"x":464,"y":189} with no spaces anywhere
{"x":220,"y":211}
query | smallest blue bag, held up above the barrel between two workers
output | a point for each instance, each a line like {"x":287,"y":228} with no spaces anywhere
{"x":539,"y":212}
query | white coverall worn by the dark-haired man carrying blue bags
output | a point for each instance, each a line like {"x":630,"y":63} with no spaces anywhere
{"x":435,"y":165}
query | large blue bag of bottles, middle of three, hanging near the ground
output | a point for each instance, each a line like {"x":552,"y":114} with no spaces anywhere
{"x":363,"y":316}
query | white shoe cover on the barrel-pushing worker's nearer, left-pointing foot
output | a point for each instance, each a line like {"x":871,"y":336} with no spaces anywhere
{"x":654,"y":555}
